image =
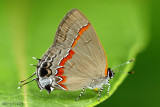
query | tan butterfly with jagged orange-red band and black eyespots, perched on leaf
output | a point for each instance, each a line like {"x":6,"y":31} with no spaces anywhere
{"x":76,"y":60}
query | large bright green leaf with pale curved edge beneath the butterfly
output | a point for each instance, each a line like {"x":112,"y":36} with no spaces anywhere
{"x":28,"y":29}
